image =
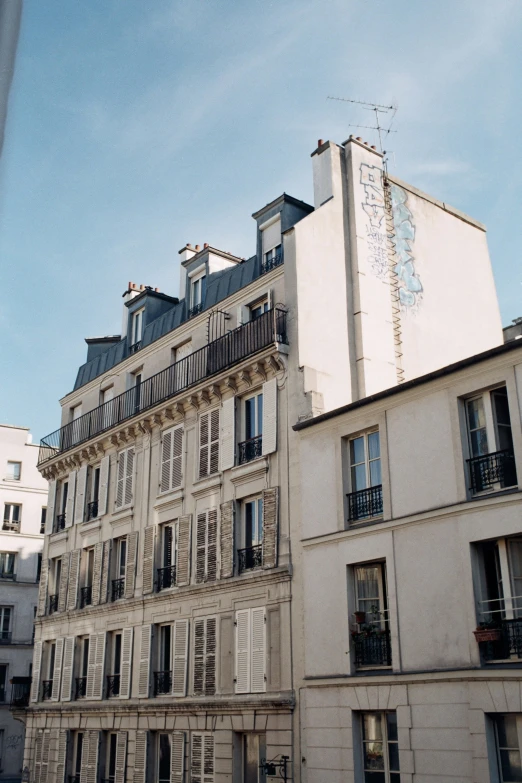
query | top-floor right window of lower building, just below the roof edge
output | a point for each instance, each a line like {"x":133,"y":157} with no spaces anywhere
{"x":490,"y":442}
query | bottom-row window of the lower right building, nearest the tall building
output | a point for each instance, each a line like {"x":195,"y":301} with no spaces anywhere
{"x":380,"y":747}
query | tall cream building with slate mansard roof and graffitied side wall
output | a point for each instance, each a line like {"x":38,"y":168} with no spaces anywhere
{"x":165,"y":641}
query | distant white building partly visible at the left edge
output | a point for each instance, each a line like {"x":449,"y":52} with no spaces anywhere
{"x":23,"y":501}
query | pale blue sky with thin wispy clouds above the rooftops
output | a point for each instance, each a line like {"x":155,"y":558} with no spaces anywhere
{"x":134,"y":128}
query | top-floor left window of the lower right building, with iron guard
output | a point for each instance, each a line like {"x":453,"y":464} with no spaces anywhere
{"x":365,"y":482}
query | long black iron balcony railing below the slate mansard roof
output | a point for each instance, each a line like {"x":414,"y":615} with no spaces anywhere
{"x":231,"y":348}
